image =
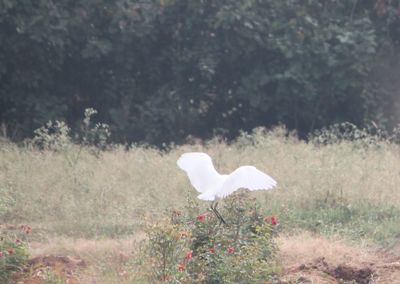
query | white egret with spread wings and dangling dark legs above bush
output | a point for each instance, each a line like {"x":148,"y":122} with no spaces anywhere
{"x":213,"y":186}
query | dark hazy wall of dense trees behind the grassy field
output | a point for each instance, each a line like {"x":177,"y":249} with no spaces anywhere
{"x":160,"y":70}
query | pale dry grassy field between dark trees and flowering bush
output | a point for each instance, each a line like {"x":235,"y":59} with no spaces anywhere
{"x":93,"y":205}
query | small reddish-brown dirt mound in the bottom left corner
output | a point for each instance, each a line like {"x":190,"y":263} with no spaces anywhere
{"x":50,"y":267}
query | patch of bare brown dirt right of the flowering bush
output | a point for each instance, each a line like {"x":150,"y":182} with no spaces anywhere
{"x":309,"y":258}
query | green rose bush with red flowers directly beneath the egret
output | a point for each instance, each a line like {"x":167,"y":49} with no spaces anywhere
{"x":203,"y":250}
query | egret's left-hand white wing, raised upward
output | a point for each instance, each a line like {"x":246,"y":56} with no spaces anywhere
{"x":200,"y":170}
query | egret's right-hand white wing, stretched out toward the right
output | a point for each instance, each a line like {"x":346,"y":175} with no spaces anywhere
{"x":248,"y":177}
